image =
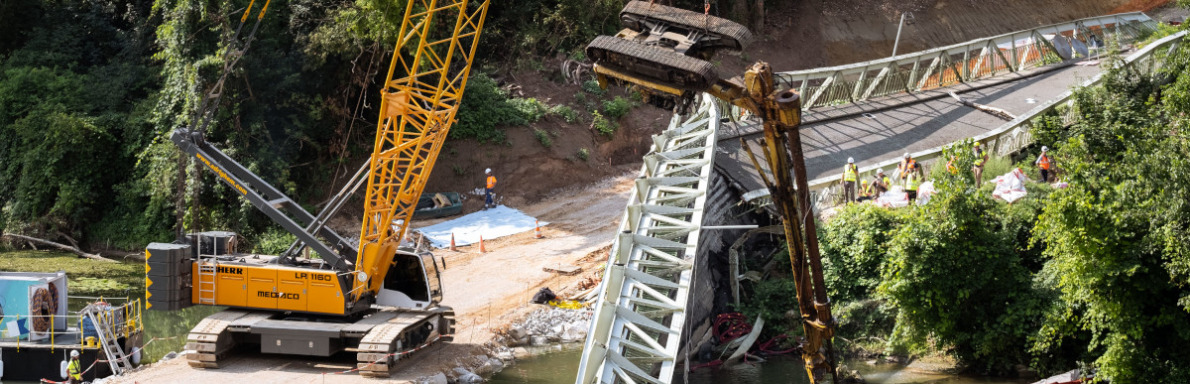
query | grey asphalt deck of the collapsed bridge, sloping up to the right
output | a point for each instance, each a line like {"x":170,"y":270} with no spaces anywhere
{"x":884,"y":129}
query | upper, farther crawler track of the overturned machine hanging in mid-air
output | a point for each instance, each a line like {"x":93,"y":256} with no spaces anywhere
{"x":736,"y":35}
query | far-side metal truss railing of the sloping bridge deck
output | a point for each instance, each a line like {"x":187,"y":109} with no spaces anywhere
{"x":964,"y":62}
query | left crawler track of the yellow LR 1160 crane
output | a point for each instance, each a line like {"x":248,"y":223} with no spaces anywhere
{"x":212,"y":337}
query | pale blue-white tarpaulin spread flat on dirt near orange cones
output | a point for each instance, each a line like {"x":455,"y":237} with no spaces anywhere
{"x":496,"y":223}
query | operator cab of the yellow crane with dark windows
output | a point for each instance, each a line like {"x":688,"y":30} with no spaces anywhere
{"x":414,"y":282}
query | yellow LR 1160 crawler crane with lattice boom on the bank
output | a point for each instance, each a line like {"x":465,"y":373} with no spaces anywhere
{"x":375,"y":298}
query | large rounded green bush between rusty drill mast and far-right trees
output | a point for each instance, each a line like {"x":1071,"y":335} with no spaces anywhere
{"x":960,"y":284}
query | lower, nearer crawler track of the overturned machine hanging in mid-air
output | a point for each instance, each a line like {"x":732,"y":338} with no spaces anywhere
{"x":653,"y":64}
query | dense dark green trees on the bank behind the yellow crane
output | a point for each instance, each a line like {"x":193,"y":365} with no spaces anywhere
{"x":90,"y":92}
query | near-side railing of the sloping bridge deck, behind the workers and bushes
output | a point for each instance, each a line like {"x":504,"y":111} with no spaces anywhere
{"x":1016,"y":135}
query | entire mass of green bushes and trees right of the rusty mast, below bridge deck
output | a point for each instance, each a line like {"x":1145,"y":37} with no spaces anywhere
{"x":1098,"y":273}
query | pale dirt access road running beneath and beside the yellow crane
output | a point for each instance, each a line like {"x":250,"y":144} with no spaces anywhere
{"x":487,"y":291}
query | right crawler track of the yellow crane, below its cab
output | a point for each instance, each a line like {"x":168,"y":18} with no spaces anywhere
{"x":402,"y":335}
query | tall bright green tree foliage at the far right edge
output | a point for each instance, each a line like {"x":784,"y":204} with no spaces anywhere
{"x":1118,"y":238}
